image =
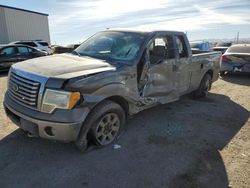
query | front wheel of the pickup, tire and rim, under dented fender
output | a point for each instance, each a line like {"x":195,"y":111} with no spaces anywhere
{"x":105,"y":123}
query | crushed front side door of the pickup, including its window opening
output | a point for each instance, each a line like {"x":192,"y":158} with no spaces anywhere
{"x":160,"y":77}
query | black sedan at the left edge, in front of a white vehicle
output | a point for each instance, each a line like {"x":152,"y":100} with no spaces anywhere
{"x":10,"y":54}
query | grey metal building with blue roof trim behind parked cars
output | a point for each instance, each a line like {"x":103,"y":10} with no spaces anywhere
{"x":19,"y":24}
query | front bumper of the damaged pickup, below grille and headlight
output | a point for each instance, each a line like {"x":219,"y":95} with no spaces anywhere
{"x":63,"y":129}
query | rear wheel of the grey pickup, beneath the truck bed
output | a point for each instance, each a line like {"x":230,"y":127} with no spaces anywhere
{"x":204,"y":87}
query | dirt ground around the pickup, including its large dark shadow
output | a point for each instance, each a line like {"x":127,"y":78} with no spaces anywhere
{"x":189,"y":143}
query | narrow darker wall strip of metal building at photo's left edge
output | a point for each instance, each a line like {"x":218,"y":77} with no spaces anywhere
{"x":4,"y":38}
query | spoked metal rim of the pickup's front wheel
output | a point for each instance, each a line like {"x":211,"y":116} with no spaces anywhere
{"x":107,"y":128}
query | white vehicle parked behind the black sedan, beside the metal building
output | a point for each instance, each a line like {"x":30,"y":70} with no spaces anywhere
{"x":39,"y":44}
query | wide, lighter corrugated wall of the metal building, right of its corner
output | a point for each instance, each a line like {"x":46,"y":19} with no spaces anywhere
{"x":23,"y":25}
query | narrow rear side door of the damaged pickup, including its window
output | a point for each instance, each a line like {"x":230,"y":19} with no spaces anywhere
{"x":183,"y":61}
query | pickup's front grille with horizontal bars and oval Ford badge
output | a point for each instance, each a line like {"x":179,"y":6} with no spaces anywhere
{"x":23,"y":90}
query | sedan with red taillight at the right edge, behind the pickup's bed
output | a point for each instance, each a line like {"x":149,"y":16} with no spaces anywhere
{"x":236,"y":59}
